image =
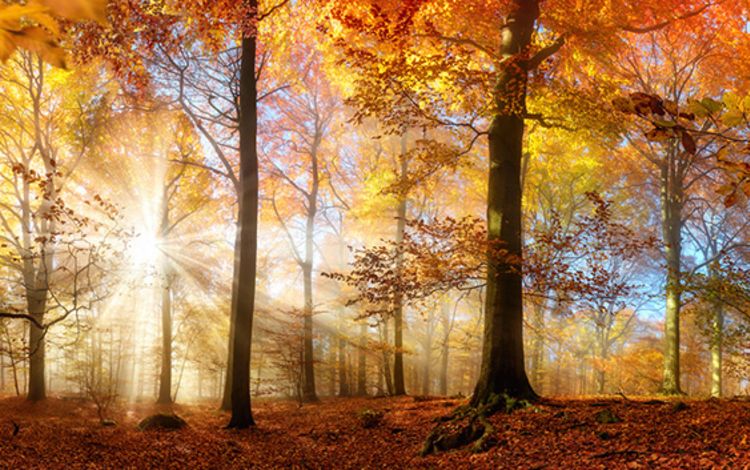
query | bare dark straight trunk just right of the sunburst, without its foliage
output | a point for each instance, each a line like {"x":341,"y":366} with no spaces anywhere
{"x":243,"y":308}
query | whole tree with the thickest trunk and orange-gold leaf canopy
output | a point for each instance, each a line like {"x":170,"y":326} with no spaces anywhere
{"x":433,"y":92}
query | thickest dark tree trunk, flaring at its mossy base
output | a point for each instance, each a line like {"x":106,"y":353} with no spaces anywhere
{"x":503,"y":369}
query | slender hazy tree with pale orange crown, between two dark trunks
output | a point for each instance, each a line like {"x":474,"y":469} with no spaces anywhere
{"x":300,"y":123}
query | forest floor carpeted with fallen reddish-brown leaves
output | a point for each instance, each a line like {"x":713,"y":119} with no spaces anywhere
{"x":555,"y":433}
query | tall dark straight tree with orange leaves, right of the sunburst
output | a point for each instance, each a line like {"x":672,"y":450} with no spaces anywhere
{"x":210,"y":26}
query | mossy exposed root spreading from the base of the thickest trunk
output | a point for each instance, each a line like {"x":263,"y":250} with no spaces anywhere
{"x":468,"y":425}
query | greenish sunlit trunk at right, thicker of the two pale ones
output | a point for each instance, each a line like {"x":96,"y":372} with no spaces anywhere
{"x":671,"y":219}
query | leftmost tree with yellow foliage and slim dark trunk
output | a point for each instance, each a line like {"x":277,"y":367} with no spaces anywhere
{"x":43,"y":143}
